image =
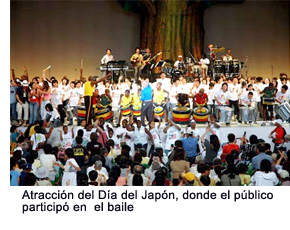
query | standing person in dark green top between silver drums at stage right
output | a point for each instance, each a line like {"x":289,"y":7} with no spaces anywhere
{"x":269,"y":94}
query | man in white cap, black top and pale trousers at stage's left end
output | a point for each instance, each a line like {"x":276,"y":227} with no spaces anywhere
{"x":22,"y":102}
